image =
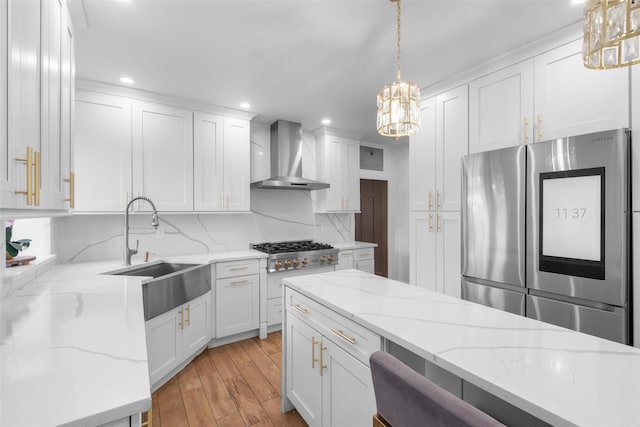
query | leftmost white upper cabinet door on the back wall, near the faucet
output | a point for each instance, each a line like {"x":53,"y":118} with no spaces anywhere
{"x":102,"y":152}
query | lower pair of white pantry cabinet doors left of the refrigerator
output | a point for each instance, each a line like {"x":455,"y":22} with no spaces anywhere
{"x":435,"y":251}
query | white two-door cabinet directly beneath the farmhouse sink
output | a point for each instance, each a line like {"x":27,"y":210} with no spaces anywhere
{"x":176,"y":335}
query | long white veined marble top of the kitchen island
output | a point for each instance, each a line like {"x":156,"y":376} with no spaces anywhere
{"x":560,"y":376}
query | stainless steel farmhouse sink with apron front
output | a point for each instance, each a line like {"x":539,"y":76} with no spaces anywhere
{"x":171,"y":285}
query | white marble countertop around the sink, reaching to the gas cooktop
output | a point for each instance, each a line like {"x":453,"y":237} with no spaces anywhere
{"x":73,"y":345}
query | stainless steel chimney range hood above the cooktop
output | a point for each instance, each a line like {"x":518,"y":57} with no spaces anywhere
{"x":286,"y":160}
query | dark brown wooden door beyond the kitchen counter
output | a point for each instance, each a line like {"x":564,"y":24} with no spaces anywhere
{"x":371,"y":223}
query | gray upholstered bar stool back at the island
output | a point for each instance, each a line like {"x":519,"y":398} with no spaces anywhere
{"x":405,"y":398}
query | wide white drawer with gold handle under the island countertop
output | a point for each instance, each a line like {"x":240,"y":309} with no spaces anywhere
{"x":358,"y":341}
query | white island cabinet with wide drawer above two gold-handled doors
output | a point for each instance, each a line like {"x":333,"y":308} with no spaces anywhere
{"x":327,"y":379}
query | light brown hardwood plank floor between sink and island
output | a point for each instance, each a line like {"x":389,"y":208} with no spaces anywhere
{"x":229,"y":386}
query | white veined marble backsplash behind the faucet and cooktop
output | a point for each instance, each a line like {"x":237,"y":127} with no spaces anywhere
{"x":276,"y":215}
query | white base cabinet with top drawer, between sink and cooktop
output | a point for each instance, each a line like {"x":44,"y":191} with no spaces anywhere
{"x":237,"y":297}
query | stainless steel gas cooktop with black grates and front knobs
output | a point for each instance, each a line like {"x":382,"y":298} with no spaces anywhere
{"x":297,"y":254}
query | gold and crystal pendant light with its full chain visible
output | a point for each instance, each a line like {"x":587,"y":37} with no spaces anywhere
{"x":398,"y":102}
